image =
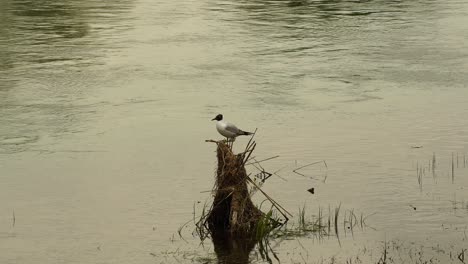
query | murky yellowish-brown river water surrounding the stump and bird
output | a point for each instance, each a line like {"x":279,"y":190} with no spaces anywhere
{"x":105,"y":106}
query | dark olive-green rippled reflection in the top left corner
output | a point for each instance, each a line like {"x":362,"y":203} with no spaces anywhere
{"x":44,"y":31}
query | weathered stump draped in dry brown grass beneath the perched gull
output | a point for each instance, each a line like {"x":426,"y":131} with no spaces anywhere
{"x":232,"y":210}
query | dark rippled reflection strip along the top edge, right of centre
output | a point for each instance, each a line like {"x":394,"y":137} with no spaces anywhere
{"x":325,"y":18}
